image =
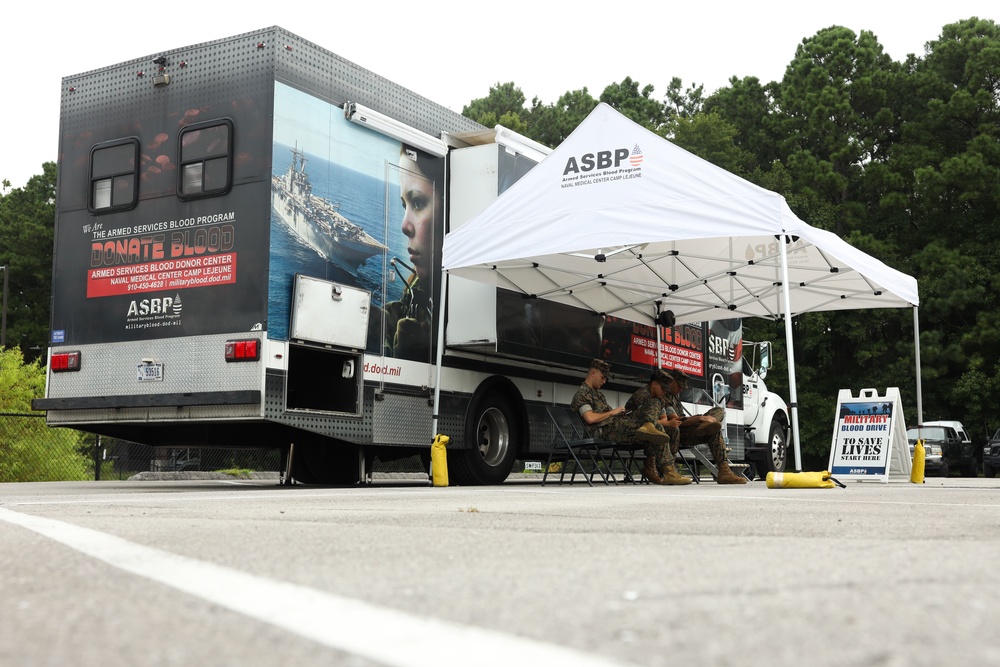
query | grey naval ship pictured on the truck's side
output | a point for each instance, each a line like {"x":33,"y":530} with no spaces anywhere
{"x":317,"y":221}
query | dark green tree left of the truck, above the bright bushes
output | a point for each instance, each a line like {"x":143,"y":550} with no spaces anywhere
{"x":27,"y":220}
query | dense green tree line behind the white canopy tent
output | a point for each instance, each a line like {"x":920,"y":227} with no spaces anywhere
{"x":901,"y":159}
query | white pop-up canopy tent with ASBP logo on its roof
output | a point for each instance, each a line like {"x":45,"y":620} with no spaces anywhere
{"x":620,"y":221}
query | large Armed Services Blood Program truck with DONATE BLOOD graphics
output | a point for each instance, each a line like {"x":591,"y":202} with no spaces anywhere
{"x":233,"y":268}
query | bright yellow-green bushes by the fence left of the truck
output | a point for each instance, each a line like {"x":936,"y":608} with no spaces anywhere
{"x":29,"y":450}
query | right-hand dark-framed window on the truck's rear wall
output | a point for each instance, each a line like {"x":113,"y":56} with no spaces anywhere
{"x":206,"y":159}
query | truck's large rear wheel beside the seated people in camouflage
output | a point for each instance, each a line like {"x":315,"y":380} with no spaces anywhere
{"x":490,"y":436}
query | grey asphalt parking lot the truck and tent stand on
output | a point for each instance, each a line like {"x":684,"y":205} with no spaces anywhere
{"x":227,"y":572}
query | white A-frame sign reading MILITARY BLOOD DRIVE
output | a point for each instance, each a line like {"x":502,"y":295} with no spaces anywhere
{"x":869,"y":437}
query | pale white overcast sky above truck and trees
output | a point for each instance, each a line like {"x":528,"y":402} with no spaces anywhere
{"x":449,"y":52}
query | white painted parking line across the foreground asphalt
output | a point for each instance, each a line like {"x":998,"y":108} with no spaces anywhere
{"x":378,"y":633}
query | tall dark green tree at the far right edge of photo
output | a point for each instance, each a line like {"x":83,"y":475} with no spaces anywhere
{"x":941,"y":207}
